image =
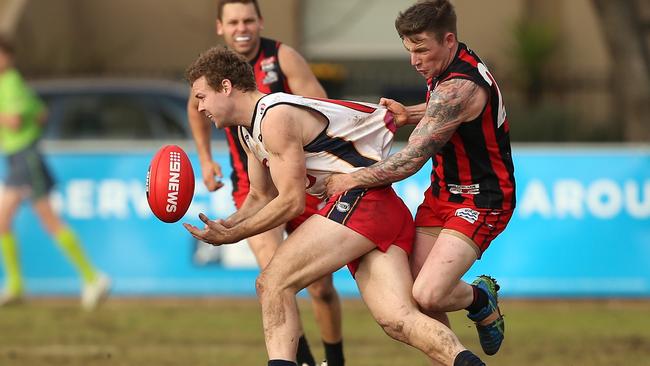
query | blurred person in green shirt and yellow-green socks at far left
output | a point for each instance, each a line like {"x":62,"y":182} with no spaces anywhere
{"x":21,"y":121}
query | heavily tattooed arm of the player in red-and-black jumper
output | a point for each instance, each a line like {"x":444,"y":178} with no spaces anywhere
{"x":450,"y":104}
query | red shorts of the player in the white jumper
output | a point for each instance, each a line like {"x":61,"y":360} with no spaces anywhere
{"x":376,"y":213}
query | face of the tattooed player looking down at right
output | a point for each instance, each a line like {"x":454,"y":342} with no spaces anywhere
{"x":429,"y":56}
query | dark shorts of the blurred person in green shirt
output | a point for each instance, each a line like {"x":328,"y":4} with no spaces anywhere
{"x":27,"y":169}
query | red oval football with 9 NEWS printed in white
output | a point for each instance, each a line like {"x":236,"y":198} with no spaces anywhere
{"x":170,"y":183}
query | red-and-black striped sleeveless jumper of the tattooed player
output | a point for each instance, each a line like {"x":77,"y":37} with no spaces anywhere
{"x":475,"y":166}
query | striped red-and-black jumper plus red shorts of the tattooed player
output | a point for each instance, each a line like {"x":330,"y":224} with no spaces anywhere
{"x":472,"y":183}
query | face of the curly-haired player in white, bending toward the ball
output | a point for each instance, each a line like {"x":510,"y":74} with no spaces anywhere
{"x":213,"y":104}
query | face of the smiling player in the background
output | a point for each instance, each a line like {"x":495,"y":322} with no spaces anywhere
{"x":240,"y":27}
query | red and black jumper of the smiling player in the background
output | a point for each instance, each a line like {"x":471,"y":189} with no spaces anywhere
{"x":269,"y":79}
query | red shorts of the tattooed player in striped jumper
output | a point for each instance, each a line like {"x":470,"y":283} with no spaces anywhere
{"x":479,"y":224}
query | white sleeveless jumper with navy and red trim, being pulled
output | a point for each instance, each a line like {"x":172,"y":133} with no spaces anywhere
{"x":357,"y":135}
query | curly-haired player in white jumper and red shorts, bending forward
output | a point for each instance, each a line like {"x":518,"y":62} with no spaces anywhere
{"x":294,"y":143}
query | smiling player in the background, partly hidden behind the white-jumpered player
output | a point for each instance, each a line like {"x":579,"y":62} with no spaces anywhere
{"x":277,"y":68}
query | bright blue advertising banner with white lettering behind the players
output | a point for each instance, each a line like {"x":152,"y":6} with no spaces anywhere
{"x":581,"y":228}
